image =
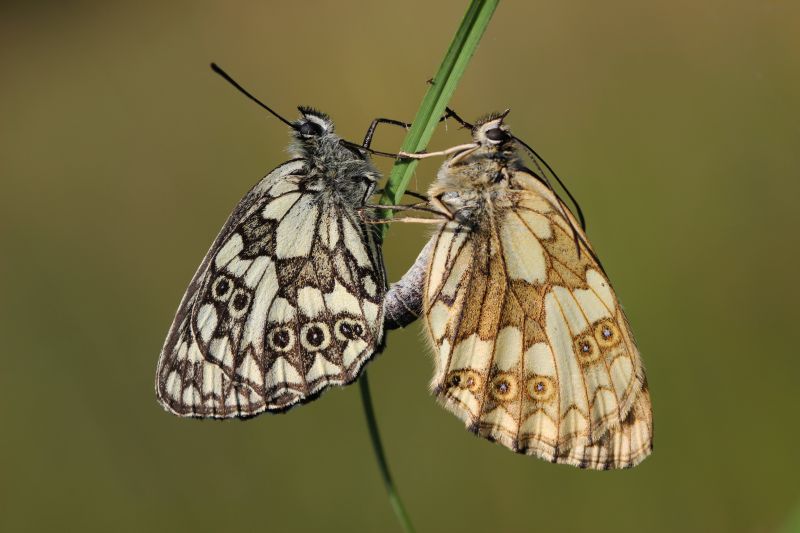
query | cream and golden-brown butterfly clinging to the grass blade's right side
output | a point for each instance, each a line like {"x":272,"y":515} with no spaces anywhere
{"x":532,"y":349}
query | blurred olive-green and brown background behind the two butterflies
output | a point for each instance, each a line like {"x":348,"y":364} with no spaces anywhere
{"x":677,"y":125}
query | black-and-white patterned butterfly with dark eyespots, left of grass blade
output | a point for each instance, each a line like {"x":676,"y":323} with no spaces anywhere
{"x":288,"y":300}
